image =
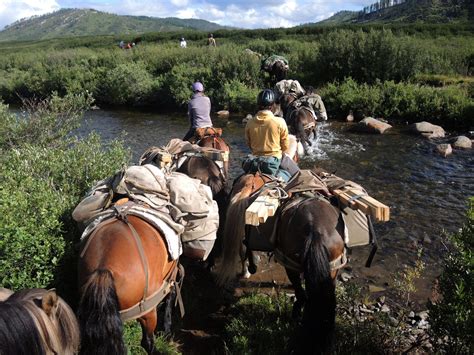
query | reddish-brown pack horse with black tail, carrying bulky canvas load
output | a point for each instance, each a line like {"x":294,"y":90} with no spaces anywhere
{"x":124,"y":273}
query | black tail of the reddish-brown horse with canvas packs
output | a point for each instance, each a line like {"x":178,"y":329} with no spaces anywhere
{"x":99,"y":317}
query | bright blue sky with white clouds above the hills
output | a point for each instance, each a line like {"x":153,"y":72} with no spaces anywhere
{"x":243,"y":14}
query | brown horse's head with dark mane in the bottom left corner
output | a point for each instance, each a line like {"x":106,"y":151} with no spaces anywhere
{"x":37,"y":321}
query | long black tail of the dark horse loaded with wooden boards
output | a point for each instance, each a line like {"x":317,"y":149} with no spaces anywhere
{"x":320,"y":309}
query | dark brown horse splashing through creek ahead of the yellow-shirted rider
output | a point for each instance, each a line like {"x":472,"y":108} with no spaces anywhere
{"x":300,"y":120}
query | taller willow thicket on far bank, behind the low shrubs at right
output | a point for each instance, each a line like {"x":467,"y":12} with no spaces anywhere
{"x":381,"y":55}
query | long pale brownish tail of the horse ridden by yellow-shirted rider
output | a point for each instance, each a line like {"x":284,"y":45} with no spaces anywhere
{"x":234,"y":233}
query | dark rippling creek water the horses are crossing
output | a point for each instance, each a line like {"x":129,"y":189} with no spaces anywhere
{"x":426,"y":193}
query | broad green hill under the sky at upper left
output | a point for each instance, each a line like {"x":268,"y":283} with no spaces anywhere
{"x":88,"y":22}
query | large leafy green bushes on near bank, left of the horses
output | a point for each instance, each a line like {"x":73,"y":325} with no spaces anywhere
{"x":44,"y":172}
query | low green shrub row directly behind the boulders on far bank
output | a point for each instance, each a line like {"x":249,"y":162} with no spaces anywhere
{"x":400,"y":101}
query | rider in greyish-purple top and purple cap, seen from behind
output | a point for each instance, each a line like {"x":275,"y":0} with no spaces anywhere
{"x":199,"y":110}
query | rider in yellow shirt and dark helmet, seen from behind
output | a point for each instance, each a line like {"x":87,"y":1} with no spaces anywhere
{"x":267,"y":136}
